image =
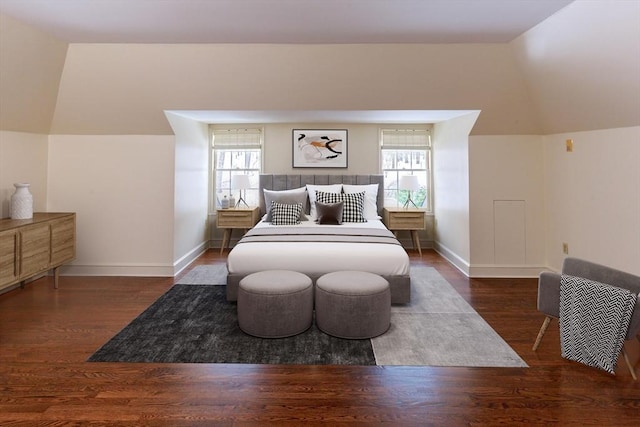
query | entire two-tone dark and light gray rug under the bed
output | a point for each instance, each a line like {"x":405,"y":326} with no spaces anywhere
{"x":193,"y":323}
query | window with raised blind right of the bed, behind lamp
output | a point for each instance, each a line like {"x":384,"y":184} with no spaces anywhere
{"x":406,"y":152}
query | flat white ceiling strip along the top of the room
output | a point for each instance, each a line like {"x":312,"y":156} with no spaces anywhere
{"x":283,"y":21}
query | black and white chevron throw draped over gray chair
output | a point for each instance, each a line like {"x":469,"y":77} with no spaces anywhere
{"x":594,"y":318}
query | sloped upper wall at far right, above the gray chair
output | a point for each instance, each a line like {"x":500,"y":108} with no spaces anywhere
{"x":582,"y":66}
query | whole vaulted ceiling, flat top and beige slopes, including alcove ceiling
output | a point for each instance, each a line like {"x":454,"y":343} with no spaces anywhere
{"x":114,"y":66}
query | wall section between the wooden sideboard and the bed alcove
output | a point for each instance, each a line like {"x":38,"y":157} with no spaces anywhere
{"x":121,"y":188}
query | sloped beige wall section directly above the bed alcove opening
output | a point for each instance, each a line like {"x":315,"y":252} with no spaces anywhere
{"x":124,"y":88}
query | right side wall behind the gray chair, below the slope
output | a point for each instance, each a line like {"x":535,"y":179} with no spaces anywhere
{"x":593,"y":197}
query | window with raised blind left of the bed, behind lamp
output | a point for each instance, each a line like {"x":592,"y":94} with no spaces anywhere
{"x":236,"y":152}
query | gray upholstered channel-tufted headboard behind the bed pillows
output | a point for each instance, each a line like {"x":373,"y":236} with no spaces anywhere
{"x":287,"y":182}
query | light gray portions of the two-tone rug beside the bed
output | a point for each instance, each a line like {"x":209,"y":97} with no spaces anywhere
{"x":438,"y":327}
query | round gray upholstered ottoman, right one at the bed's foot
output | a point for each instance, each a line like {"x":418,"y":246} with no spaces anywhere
{"x":353,"y":304}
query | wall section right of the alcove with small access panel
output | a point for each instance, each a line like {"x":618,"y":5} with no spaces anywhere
{"x":506,"y":171}
